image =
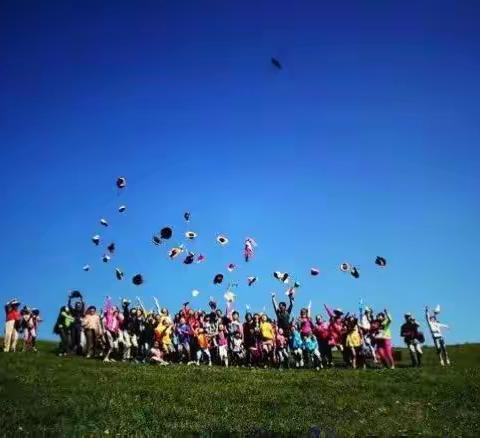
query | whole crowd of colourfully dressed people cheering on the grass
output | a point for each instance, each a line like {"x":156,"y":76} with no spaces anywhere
{"x":130,"y":333}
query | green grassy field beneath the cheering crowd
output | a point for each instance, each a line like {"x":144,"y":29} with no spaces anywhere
{"x":43,"y":394}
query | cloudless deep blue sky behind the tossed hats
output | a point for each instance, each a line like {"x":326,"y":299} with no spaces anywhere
{"x":365,"y":144}
